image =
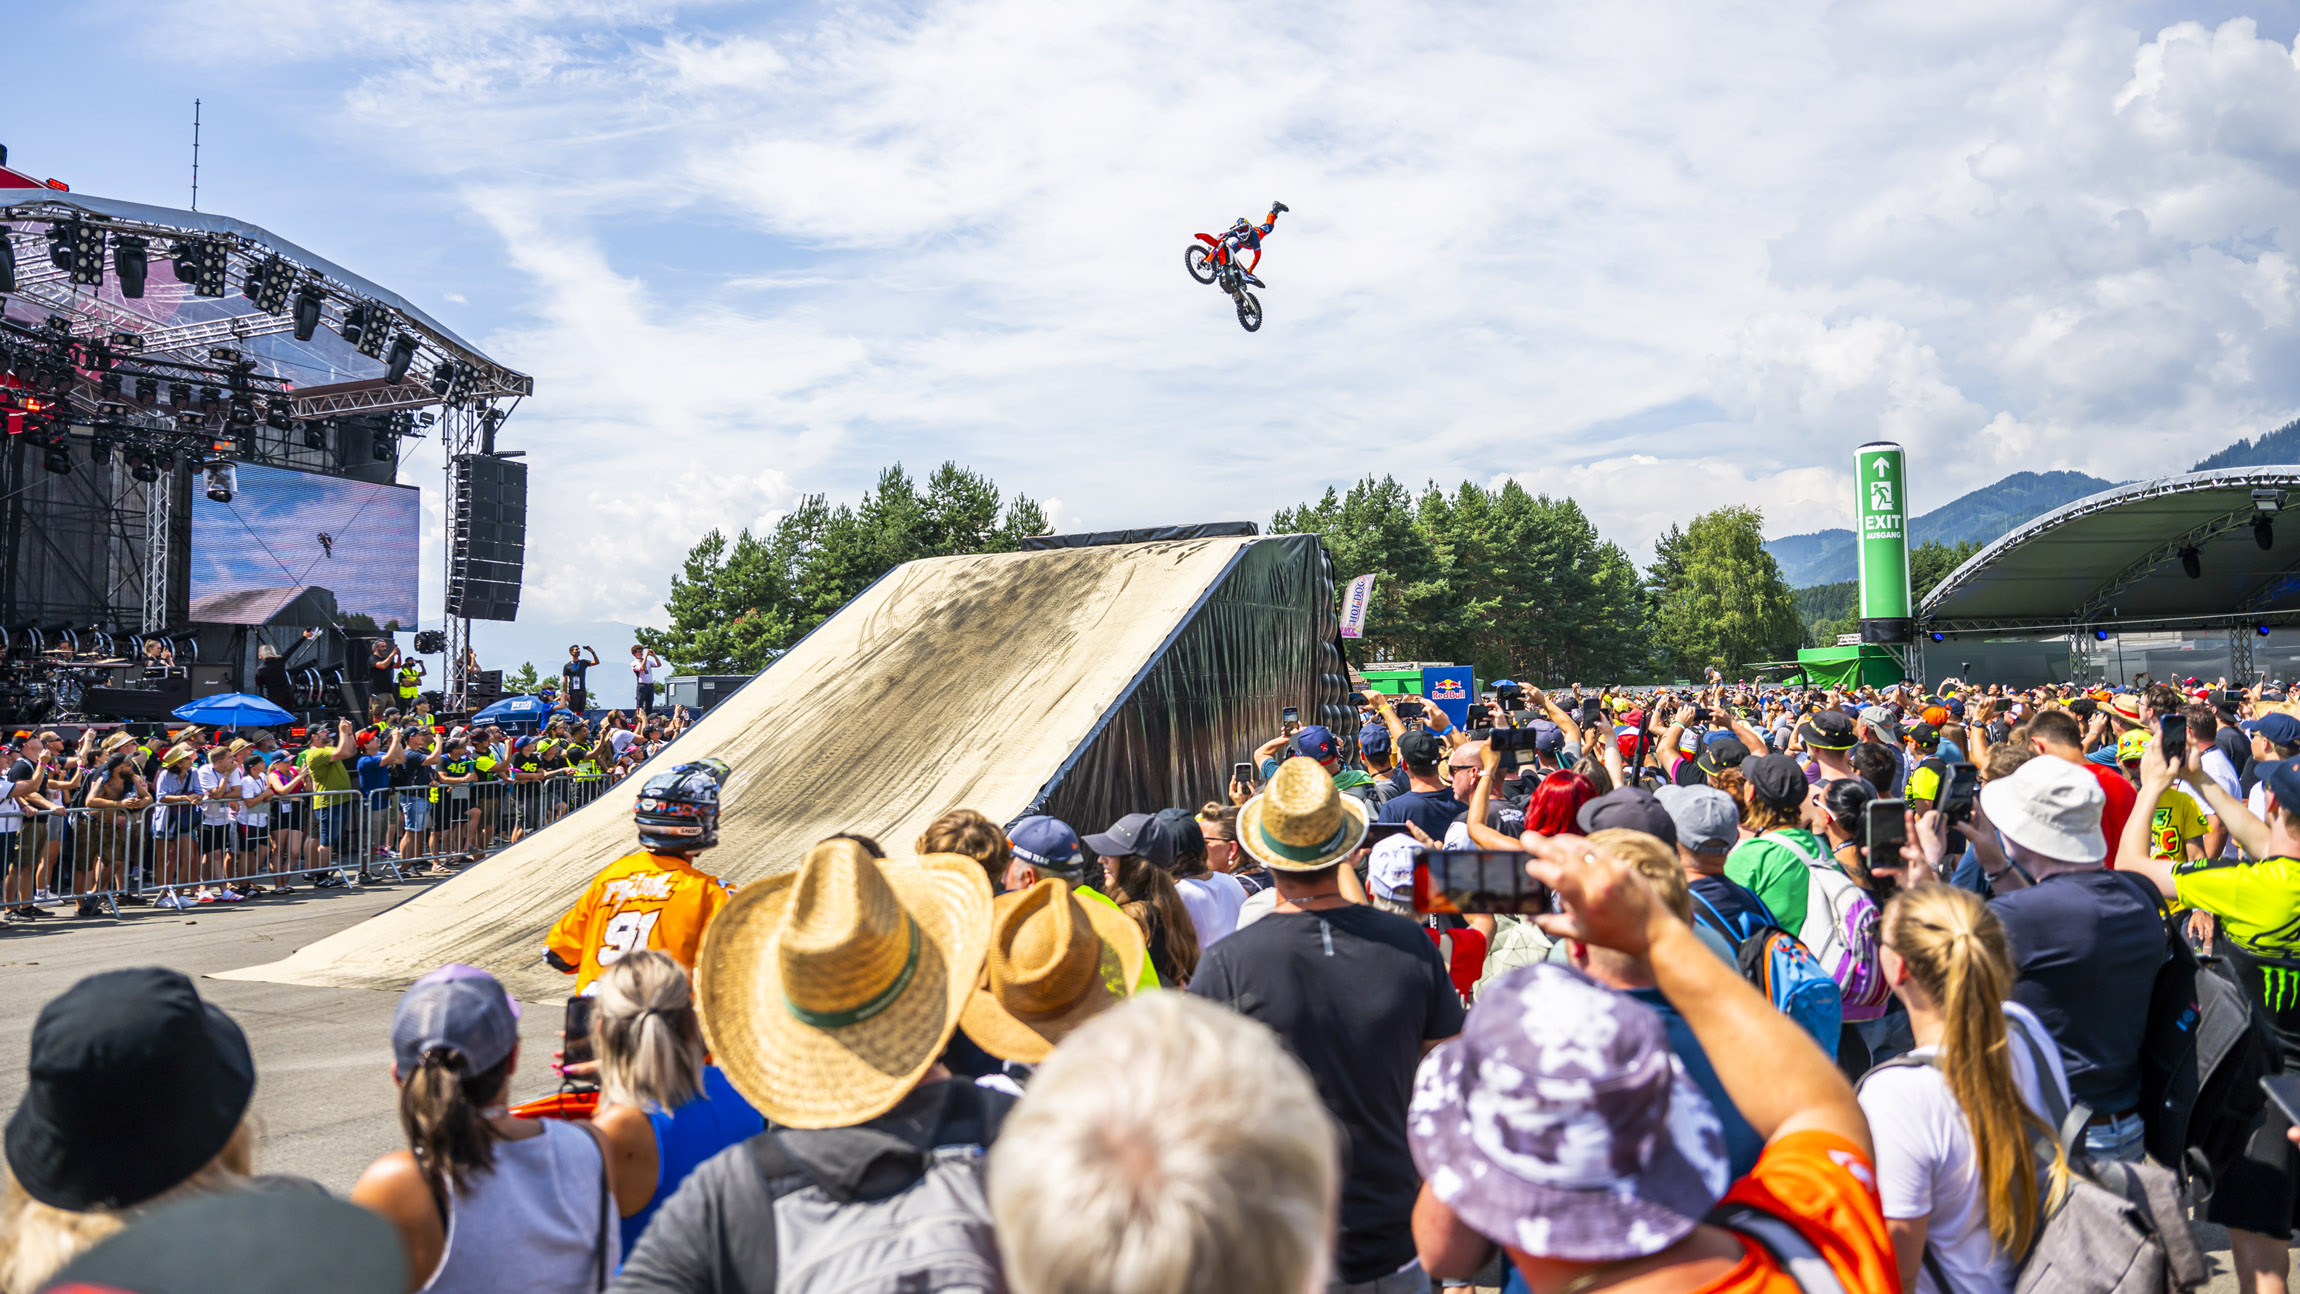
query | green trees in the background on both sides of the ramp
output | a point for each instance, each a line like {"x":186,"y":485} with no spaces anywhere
{"x":1498,"y":578}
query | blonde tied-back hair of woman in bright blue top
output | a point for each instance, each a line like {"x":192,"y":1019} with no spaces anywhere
{"x":647,"y":1035}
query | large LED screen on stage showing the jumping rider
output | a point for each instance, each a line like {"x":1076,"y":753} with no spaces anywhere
{"x":293,"y":532}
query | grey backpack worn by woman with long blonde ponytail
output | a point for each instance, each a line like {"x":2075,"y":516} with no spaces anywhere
{"x":2117,"y":1228}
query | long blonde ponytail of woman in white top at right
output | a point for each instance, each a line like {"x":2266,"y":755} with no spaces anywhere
{"x":1956,"y":950}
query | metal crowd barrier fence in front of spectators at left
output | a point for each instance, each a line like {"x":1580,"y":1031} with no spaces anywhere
{"x":105,"y":861}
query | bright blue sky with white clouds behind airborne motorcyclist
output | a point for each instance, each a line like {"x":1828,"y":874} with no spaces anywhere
{"x":1653,"y":256}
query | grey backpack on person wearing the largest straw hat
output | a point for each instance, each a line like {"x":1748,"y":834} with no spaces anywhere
{"x":917,"y":1224}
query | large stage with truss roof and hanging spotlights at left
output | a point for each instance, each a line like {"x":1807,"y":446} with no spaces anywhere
{"x":148,"y":353}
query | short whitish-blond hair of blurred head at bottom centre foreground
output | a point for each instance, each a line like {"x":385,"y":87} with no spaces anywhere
{"x":1096,"y":1185}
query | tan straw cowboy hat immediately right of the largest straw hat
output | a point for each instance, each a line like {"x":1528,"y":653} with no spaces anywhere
{"x":1052,"y":966}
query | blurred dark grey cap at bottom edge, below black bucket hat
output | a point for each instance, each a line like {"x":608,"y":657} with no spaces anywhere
{"x":277,"y":1240}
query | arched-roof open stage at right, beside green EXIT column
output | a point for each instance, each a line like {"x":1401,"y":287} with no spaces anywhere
{"x":2184,"y":576}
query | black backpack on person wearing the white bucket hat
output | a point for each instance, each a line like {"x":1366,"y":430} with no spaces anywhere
{"x":2202,"y":1061}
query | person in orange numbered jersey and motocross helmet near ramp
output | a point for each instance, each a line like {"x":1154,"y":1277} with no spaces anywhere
{"x":657,"y":898}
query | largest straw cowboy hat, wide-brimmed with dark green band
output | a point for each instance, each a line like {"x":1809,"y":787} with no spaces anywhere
{"x":831,"y":989}
